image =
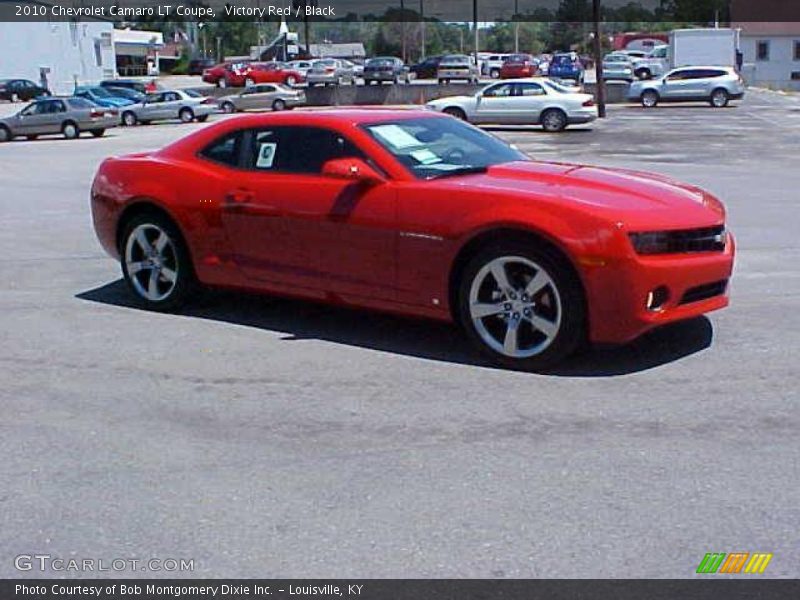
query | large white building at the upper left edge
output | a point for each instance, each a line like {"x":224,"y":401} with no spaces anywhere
{"x":58,"y":54}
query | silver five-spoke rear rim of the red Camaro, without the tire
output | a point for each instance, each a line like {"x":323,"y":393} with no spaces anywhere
{"x":151,"y":262}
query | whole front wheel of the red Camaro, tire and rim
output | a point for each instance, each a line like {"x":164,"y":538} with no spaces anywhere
{"x":522,"y":306}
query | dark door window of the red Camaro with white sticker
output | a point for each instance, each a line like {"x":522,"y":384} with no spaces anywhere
{"x":298,"y":149}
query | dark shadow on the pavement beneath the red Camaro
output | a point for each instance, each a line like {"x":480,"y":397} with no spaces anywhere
{"x":432,"y":340}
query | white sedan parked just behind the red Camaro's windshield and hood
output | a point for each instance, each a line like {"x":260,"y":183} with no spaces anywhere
{"x":536,"y":101}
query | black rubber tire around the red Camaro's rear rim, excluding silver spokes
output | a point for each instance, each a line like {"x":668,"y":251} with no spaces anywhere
{"x":176,"y":258}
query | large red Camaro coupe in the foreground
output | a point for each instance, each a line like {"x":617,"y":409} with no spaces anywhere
{"x":417,"y":213}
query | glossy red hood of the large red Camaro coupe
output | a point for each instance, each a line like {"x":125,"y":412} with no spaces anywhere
{"x":635,"y":198}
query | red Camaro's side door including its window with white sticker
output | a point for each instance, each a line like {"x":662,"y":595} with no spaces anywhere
{"x":327,"y":234}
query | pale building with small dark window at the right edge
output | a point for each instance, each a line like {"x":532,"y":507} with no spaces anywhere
{"x":771,"y":54}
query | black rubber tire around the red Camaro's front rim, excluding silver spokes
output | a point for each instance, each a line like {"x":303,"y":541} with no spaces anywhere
{"x":566,"y":301}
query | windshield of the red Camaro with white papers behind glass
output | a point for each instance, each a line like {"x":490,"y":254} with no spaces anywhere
{"x":437,"y":147}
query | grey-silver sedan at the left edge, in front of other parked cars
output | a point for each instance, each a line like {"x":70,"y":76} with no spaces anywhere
{"x":69,"y":116}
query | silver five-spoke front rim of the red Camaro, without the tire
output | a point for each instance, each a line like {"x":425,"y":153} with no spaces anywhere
{"x":515,"y":306}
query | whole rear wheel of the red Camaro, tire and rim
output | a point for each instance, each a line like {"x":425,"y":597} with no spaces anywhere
{"x":155,"y":262}
